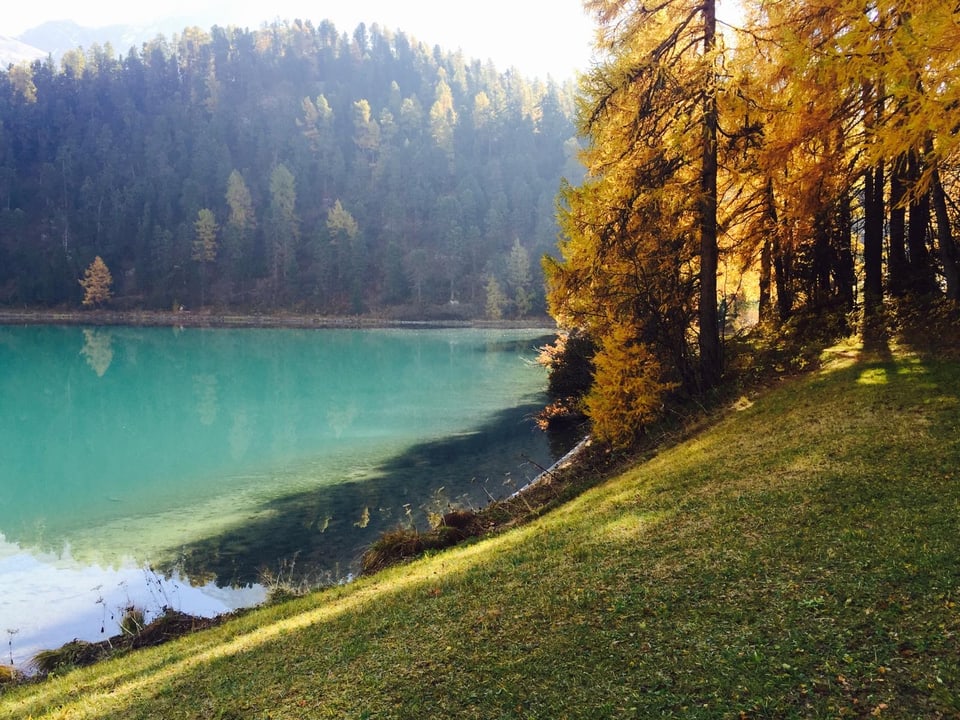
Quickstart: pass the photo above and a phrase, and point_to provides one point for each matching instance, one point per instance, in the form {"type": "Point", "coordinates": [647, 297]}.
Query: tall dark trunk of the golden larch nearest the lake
{"type": "Point", "coordinates": [710, 358]}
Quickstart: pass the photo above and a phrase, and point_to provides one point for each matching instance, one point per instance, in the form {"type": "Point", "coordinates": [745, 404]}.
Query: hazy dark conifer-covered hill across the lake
{"type": "Point", "coordinates": [293, 167]}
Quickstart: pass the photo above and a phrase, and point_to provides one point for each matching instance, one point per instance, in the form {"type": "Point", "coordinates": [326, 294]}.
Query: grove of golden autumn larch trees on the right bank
{"type": "Point", "coordinates": [806, 159]}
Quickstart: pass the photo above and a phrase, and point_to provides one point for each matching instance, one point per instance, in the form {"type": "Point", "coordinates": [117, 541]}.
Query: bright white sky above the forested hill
{"type": "Point", "coordinates": [539, 37]}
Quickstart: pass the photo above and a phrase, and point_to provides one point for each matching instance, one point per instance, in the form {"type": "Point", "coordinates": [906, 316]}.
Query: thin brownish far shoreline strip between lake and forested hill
{"type": "Point", "coordinates": [211, 319]}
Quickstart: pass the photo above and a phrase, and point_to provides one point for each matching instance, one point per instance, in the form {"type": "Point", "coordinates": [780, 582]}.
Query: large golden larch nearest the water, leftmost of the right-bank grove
{"type": "Point", "coordinates": [640, 251]}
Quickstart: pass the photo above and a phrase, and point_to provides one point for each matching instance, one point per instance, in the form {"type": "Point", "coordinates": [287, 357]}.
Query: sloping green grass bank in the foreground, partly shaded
{"type": "Point", "coordinates": [798, 559]}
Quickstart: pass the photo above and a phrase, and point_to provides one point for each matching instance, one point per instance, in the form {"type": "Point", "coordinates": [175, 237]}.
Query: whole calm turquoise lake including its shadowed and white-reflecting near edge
{"type": "Point", "coordinates": [185, 468]}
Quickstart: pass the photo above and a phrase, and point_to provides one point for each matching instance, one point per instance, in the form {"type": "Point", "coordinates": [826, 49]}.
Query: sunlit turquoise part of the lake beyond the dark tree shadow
{"type": "Point", "coordinates": [179, 420]}
